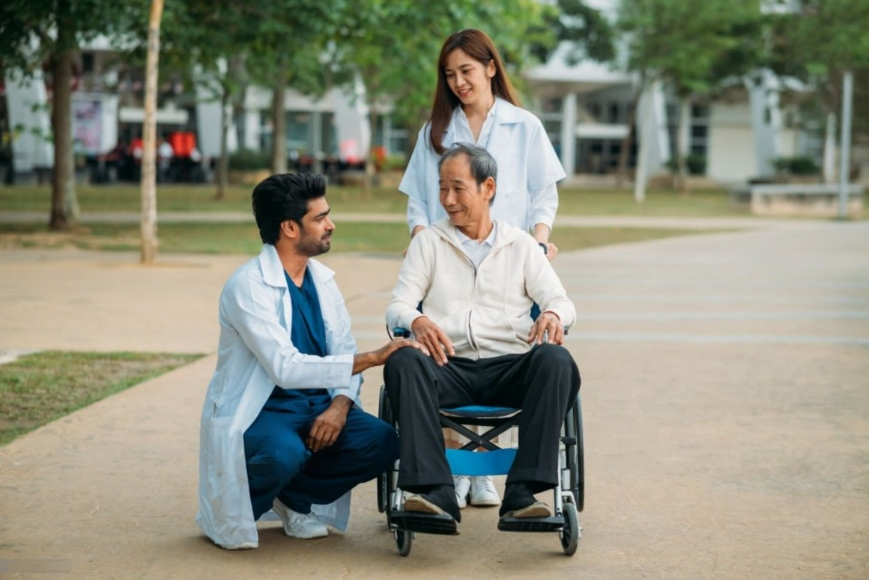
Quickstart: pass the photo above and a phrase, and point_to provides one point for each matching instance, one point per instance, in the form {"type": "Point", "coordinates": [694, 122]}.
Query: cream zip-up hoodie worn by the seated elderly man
{"type": "Point", "coordinates": [485, 311]}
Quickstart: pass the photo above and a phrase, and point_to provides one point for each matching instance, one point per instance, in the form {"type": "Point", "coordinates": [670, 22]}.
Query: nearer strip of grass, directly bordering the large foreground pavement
{"type": "Point", "coordinates": [236, 238]}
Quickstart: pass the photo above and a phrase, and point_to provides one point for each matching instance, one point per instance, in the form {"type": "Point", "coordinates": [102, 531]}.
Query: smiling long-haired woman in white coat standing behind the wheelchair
{"type": "Point", "coordinates": [474, 102]}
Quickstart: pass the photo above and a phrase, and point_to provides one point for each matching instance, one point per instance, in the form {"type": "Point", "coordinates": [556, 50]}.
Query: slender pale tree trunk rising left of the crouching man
{"type": "Point", "coordinates": [149, 138]}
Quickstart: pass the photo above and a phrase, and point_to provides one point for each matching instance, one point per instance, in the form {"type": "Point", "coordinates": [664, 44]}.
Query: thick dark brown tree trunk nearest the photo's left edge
{"type": "Point", "coordinates": [64, 205]}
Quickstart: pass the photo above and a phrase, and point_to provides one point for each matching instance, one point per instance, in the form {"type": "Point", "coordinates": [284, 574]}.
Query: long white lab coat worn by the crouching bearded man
{"type": "Point", "coordinates": [255, 354]}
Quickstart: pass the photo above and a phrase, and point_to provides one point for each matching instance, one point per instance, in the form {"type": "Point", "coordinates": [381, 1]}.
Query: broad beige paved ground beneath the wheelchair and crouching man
{"type": "Point", "coordinates": [725, 407]}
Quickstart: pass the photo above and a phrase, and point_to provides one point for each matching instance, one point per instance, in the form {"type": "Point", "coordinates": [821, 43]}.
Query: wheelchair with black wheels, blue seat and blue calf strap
{"type": "Point", "coordinates": [568, 493]}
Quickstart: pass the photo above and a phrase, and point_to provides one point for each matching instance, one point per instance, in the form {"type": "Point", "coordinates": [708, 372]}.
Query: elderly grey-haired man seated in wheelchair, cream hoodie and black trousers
{"type": "Point", "coordinates": [465, 291]}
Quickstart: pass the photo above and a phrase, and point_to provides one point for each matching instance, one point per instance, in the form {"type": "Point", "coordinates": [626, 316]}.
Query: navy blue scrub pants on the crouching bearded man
{"type": "Point", "coordinates": [279, 465]}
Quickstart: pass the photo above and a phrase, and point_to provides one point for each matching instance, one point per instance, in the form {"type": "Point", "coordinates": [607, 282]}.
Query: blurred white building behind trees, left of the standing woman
{"type": "Point", "coordinates": [107, 109]}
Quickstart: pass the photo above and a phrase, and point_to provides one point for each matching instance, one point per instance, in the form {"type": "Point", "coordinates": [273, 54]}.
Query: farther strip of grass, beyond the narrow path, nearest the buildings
{"type": "Point", "coordinates": [701, 203]}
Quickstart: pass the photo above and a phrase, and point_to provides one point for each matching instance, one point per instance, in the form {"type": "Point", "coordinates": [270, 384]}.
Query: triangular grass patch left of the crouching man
{"type": "Point", "coordinates": [39, 388]}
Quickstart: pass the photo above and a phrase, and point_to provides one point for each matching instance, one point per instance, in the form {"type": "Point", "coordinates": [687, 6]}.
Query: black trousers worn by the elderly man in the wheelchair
{"type": "Point", "coordinates": [542, 382]}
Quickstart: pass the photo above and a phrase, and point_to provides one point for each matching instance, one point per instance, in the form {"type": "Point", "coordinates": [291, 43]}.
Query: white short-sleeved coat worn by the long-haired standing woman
{"type": "Point", "coordinates": [528, 170]}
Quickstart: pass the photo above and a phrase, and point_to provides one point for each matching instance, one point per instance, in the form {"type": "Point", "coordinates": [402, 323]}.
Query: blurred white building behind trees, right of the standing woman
{"type": "Point", "coordinates": [586, 108]}
